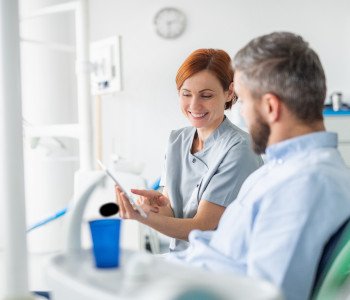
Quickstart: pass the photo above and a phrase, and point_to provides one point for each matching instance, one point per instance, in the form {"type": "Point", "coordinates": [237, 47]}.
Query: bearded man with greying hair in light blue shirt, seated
{"type": "Point", "coordinates": [288, 209]}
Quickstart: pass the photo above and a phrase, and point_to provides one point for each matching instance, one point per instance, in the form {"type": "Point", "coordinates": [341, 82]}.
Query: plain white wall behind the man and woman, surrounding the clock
{"type": "Point", "coordinates": [139, 118]}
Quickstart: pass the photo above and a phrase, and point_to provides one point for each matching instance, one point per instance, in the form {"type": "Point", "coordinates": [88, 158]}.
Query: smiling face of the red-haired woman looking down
{"type": "Point", "coordinates": [203, 99]}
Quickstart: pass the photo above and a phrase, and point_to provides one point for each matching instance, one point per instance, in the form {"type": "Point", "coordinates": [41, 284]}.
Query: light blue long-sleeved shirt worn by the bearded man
{"type": "Point", "coordinates": [282, 218]}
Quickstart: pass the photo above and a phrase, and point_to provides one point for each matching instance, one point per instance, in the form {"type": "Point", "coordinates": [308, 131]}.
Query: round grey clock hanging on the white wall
{"type": "Point", "coordinates": [170, 22]}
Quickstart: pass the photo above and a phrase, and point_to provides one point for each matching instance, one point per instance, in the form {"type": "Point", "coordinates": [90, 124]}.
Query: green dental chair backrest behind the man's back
{"type": "Point", "coordinates": [333, 271]}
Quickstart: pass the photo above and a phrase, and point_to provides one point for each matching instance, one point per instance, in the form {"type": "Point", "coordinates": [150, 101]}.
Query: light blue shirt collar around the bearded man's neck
{"type": "Point", "coordinates": [302, 143]}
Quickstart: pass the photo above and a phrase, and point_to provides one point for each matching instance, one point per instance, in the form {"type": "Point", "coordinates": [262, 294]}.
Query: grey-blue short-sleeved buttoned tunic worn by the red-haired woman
{"type": "Point", "coordinates": [215, 173]}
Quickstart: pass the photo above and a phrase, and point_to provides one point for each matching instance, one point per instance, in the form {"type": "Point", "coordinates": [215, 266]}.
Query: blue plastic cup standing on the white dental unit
{"type": "Point", "coordinates": [105, 235]}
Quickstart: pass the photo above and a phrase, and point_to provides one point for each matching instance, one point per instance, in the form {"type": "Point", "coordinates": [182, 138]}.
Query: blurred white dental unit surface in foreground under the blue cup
{"type": "Point", "coordinates": [144, 277]}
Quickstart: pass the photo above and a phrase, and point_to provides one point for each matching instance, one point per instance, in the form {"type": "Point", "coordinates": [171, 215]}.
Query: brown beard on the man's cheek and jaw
{"type": "Point", "coordinates": [260, 132]}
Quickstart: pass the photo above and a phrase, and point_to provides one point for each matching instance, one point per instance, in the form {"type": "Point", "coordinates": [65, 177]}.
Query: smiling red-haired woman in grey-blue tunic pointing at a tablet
{"type": "Point", "coordinates": [206, 163]}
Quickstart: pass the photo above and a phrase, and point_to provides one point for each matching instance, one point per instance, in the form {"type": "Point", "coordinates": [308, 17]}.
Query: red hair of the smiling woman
{"type": "Point", "coordinates": [218, 62]}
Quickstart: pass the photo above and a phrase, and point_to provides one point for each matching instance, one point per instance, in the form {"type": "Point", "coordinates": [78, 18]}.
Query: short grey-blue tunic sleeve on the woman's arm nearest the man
{"type": "Point", "coordinates": [236, 166]}
